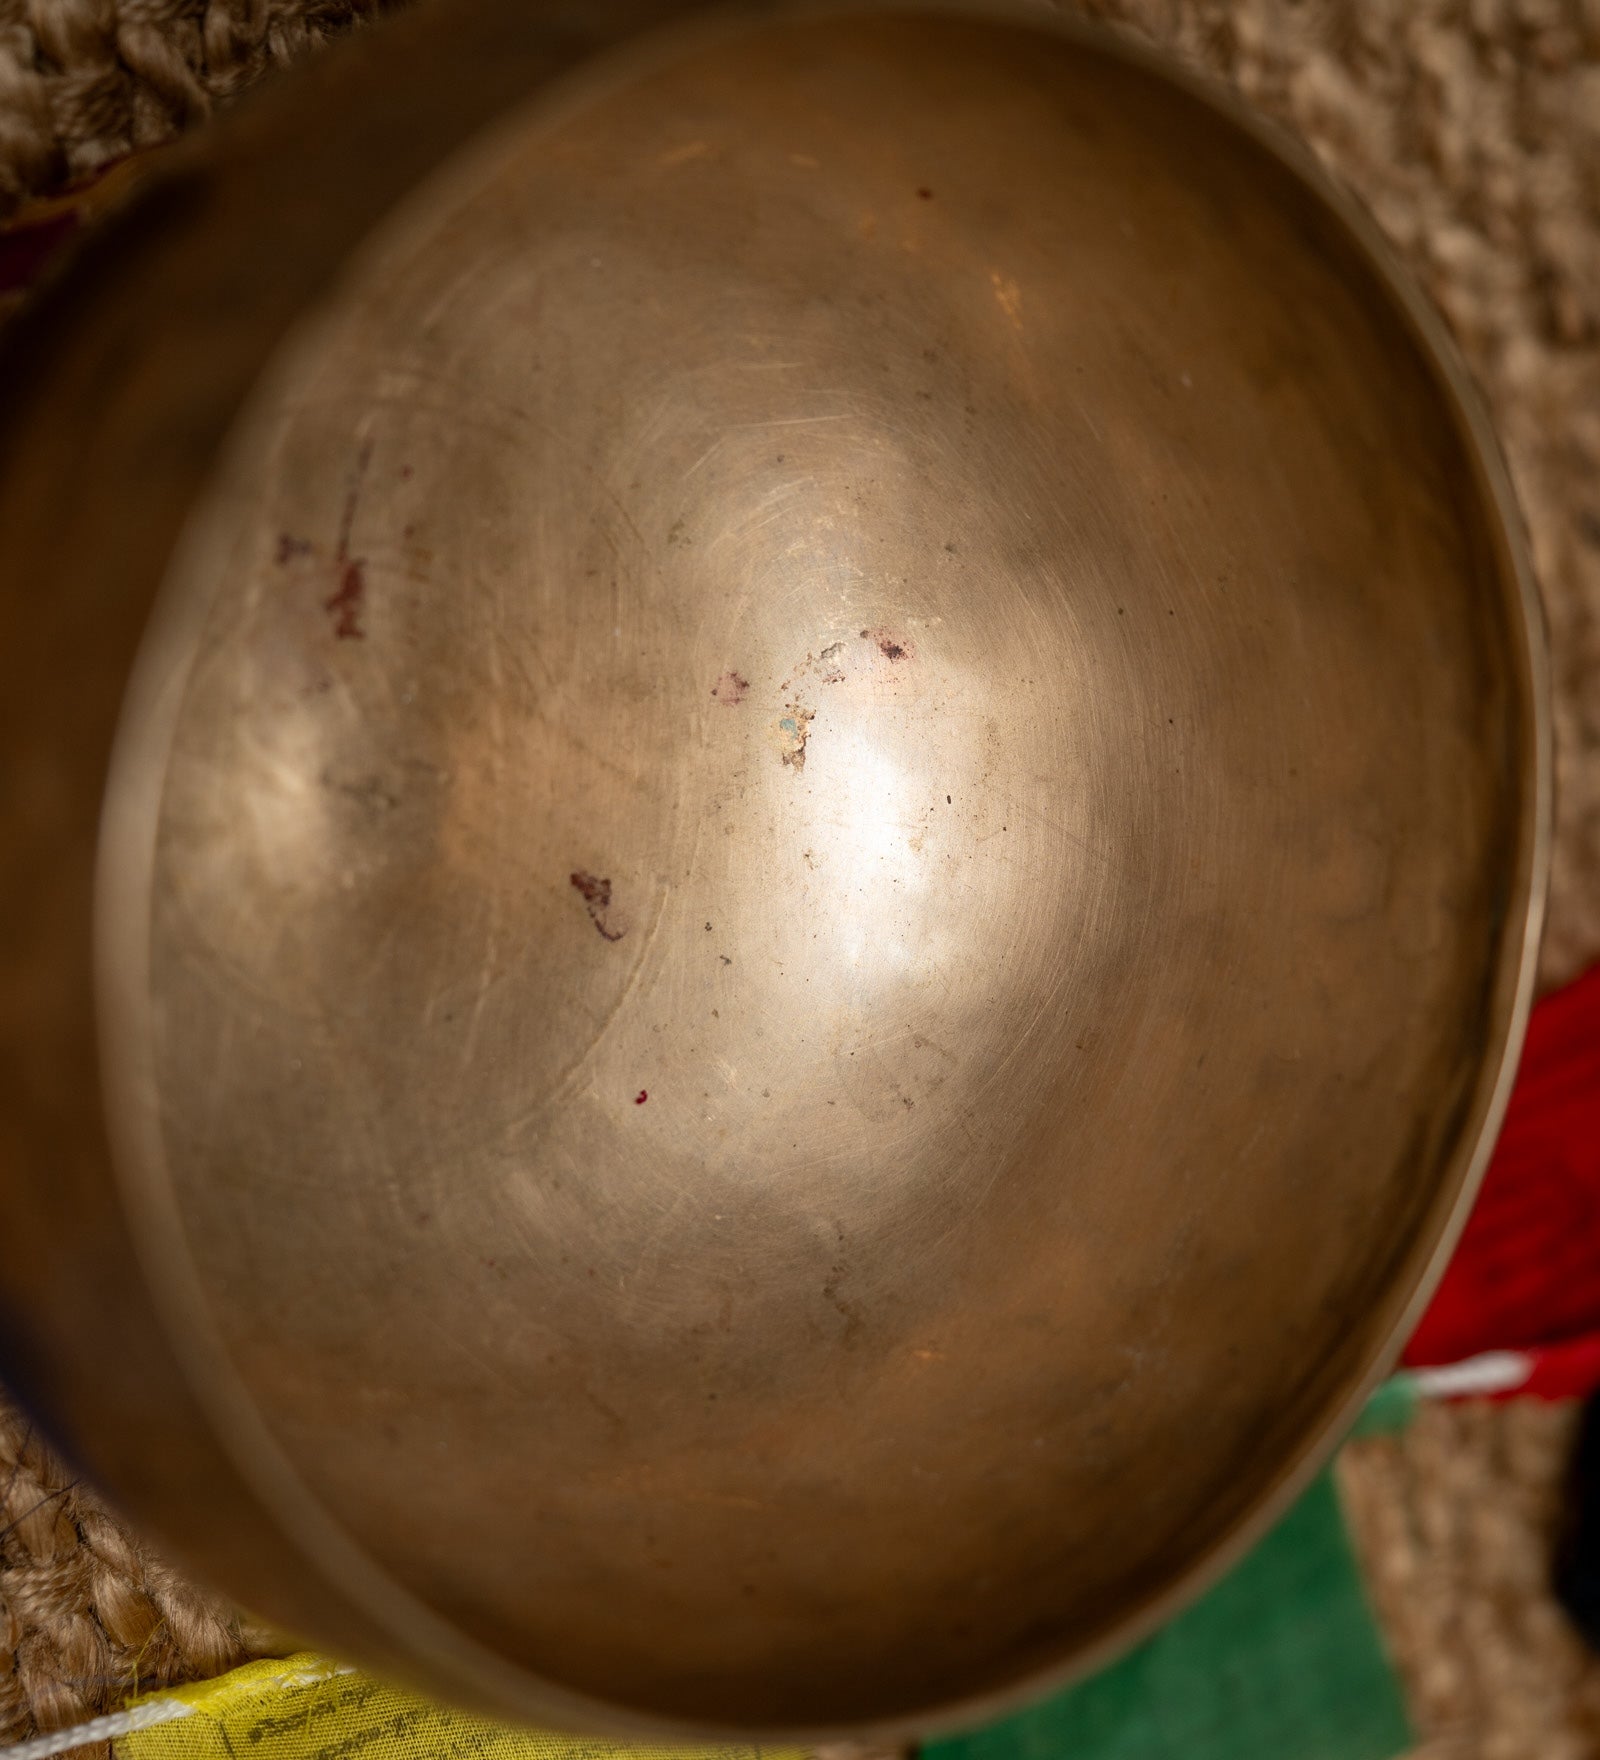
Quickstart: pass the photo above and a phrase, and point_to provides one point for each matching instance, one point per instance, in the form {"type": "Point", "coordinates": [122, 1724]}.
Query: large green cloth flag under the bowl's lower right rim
{"type": "Point", "coordinates": [1279, 1662]}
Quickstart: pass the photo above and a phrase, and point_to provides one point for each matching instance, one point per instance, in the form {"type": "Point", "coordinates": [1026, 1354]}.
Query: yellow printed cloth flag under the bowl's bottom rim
{"type": "Point", "coordinates": [307, 1708]}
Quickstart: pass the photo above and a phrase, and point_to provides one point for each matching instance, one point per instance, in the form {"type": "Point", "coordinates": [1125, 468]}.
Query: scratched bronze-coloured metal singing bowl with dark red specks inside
{"type": "Point", "coordinates": [825, 800]}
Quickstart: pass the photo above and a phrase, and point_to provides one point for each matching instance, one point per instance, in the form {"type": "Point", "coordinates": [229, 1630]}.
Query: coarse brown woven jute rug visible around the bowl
{"type": "Point", "coordinates": [1472, 131]}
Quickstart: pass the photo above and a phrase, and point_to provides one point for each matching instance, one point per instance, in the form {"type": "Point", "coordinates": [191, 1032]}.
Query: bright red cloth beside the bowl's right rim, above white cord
{"type": "Point", "coordinates": [1527, 1272]}
